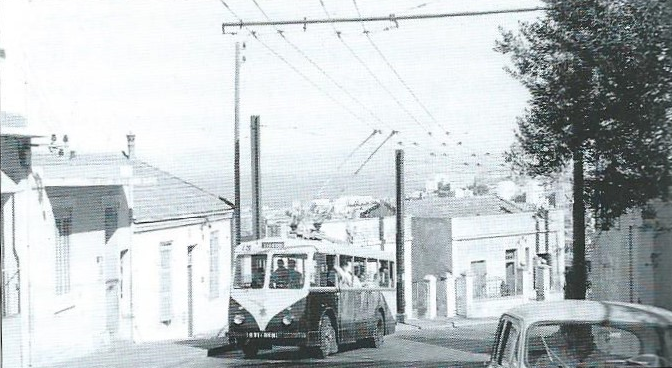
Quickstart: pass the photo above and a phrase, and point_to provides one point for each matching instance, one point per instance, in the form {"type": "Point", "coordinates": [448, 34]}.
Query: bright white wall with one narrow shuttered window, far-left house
{"type": "Point", "coordinates": [78, 318]}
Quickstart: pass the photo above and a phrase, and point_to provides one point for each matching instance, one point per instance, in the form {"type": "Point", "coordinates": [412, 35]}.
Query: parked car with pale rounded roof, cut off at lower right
{"type": "Point", "coordinates": [583, 333]}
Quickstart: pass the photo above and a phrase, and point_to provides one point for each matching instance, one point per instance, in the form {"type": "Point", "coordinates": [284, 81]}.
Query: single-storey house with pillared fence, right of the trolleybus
{"type": "Point", "coordinates": [496, 244]}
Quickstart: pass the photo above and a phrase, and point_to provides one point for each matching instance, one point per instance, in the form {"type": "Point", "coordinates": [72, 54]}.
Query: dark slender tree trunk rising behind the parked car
{"type": "Point", "coordinates": [576, 284]}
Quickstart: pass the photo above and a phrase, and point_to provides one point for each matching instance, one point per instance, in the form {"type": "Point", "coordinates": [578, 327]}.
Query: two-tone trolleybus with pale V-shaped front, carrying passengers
{"type": "Point", "coordinates": [314, 294]}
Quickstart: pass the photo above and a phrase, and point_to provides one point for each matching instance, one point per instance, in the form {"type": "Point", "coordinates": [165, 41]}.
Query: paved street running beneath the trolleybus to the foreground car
{"type": "Point", "coordinates": [466, 344]}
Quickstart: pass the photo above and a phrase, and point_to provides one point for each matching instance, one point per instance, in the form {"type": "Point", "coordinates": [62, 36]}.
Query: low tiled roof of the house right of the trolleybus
{"type": "Point", "coordinates": [451, 207]}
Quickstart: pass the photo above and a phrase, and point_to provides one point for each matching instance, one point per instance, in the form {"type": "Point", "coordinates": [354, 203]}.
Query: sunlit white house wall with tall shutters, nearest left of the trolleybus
{"type": "Point", "coordinates": [210, 314]}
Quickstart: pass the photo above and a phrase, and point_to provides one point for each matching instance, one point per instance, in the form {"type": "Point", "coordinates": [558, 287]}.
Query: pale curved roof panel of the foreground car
{"type": "Point", "coordinates": [591, 311]}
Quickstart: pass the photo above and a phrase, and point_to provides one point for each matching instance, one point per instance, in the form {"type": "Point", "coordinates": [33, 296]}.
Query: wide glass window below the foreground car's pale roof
{"type": "Point", "coordinates": [588, 344]}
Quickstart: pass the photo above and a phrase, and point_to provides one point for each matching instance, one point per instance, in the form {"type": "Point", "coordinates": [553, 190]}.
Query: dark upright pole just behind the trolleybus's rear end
{"type": "Point", "coordinates": [401, 305]}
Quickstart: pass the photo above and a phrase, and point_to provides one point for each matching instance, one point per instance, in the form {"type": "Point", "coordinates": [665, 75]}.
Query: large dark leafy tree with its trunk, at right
{"type": "Point", "coordinates": [599, 73]}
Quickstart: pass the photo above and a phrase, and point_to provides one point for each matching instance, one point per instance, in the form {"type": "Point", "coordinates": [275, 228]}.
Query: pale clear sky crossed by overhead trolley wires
{"type": "Point", "coordinates": [99, 69]}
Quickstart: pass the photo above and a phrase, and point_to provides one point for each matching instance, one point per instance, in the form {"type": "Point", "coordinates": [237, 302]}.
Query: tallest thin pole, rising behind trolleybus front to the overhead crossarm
{"type": "Point", "coordinates": [236, 156]}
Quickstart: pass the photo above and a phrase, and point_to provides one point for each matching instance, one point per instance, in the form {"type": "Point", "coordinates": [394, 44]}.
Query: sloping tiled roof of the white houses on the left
{"type": "Point", "coordinates": [157, 194]}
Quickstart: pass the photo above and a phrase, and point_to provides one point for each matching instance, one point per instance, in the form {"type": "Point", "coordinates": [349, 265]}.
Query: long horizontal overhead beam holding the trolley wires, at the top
{"type": "Point", "coordinates": [390, 18]}
